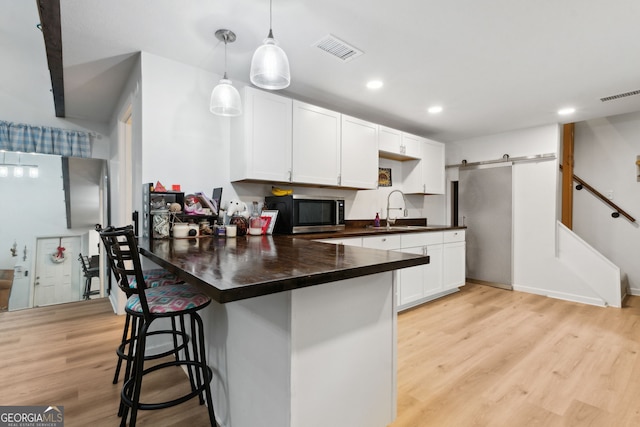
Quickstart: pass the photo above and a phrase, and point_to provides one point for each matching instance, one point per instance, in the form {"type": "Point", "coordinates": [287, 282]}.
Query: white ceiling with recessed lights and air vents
{"type": "Point", "coordinates": [493, 65]}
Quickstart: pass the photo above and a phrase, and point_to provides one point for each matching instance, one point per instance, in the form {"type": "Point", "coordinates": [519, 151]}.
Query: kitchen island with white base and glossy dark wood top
{"type": "Point", "coordinates": [300, 333]}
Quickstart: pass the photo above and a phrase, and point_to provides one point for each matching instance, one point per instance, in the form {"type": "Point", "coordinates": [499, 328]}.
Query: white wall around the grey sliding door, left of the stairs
{"type": "Point", "coordinates": [535, 193]}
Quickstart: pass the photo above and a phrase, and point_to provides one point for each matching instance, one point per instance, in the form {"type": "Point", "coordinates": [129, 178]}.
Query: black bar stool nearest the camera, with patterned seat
{"type": "Point", "coordinates": [147, 304]}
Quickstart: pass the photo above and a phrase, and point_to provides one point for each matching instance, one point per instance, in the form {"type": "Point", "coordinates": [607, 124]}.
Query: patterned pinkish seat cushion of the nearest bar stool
{"type": "Point", "coordinates": [169, 299]}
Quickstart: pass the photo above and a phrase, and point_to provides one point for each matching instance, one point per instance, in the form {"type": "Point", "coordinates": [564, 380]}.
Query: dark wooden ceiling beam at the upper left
{"type": "Point", "coordinates": [49, 11]}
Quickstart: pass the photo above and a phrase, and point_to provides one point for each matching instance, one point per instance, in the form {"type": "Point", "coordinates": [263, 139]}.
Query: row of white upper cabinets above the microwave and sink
{"type": "Point", "coordinates": [278, 139]}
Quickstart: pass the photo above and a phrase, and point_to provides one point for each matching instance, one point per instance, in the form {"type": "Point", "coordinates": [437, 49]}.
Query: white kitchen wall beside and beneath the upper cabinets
{"type": "Point", "coordinates": [183, 143]}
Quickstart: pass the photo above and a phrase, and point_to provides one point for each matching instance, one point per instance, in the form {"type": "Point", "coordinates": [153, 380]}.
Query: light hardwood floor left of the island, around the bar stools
{"type": "Point", "coordinates": [65, 355]}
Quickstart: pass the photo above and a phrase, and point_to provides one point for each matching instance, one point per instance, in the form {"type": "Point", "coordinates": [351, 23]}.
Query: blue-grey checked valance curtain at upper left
{"type": "Point", "coordinates": [44, 140]}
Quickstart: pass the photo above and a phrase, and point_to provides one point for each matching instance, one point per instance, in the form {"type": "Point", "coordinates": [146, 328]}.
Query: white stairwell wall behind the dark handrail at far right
{"type": "Point", "coordinates": [605, 155]}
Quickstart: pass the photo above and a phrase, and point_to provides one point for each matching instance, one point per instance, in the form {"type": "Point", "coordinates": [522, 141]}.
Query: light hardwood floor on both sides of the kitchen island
{"type": "Point", "coordinates": [481, 357]}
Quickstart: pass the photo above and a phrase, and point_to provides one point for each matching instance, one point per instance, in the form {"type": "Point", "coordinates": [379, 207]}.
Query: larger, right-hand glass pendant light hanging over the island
{"type": "Point", "coordinates": [270, 65]}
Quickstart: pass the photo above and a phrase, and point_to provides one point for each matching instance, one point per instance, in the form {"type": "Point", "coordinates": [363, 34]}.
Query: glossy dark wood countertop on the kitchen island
{"type": "Point", "coordinates": [231, 269]}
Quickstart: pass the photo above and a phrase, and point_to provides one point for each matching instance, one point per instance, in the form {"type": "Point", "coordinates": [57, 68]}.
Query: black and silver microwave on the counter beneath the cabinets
{"type": "Point", "coordinates": [306, 214]}
